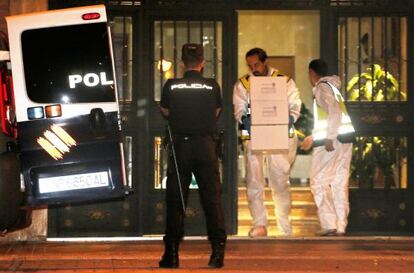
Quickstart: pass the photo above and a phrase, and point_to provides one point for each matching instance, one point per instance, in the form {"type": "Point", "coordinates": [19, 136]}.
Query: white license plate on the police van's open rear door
{"type": "Point", "coordinates": [73, 182]}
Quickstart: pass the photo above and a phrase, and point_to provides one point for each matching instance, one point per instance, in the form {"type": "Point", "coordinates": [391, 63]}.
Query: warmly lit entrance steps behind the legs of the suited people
{"type": "Point", "coordinates": [303, 214]}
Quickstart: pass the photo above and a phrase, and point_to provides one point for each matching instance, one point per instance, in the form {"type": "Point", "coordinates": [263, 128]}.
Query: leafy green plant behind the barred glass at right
{"type": "Point", "coordinates": [375, 159]}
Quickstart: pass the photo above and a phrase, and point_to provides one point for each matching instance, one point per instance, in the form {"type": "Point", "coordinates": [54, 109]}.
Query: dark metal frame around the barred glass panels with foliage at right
{"type": "Point", "coordinates": [377, 211]}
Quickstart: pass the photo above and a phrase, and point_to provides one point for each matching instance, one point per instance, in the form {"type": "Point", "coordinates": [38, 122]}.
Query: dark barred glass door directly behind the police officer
{"type": "Point", "coordinates": [168, 37]}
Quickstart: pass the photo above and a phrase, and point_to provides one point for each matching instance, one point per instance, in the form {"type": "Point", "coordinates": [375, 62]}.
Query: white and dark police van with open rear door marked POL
{"type": "Point", "coordinates": [62, 107]}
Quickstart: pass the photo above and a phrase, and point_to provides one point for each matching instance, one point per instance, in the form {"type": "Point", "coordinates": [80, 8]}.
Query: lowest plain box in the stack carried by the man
{"type": "Point", "coordinates": [269, 139]}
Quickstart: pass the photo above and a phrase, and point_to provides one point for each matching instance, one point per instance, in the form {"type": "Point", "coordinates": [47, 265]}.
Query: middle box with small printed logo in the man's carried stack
{"type": "Point", "coordinates": [269, 112]}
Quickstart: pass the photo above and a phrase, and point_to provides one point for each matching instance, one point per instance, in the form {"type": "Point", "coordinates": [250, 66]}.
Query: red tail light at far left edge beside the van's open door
{"type": "Point", "coordinates": [7, 113]}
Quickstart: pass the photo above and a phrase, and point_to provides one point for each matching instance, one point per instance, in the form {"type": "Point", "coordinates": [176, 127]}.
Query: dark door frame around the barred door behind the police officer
{"type": "Point", "coordinates": [154, 200]}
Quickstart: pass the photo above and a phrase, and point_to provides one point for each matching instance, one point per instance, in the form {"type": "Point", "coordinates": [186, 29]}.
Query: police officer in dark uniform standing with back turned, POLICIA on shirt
{"type": "Point", "coordinates": [192, 105]}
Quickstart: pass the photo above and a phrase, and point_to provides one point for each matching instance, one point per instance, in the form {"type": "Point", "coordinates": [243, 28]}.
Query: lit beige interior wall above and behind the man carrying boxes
{"type": "Point", "coordinates": [282, 33]}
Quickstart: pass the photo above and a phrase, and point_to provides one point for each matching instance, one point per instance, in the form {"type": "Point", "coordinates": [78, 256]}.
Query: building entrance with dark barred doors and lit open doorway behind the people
{"type": "Point", "coordinates": [147, 37]}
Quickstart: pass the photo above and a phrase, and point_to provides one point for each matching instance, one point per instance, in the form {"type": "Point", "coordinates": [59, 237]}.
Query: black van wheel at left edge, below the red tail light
{"type": "Point", "coordinates": [12, 217]}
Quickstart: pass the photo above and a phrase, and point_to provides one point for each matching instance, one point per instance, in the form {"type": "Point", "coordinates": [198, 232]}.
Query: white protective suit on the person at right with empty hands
{"type": "Point", "coordinates": [329, 171]}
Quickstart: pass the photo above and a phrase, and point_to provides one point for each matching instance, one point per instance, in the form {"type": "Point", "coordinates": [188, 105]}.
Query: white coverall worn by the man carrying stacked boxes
{"type": "Point", "coordinates": [278, 164]}
